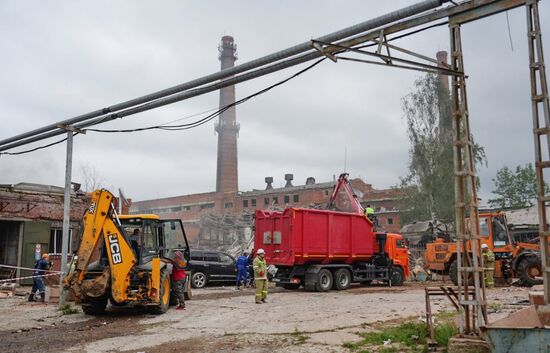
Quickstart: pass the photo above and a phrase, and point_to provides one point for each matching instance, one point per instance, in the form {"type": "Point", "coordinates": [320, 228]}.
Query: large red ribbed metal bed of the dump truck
{"type": "Point", "coordinates": [298, 236]}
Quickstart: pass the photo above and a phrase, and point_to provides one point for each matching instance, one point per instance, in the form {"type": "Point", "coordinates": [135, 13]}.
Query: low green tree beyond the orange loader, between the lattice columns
{"type": "Point", "coordinates": [515, 189]}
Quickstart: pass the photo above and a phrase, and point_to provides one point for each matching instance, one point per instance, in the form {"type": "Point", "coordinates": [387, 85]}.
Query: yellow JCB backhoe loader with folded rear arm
{"type": "Point", "coordinates": [126, 259]}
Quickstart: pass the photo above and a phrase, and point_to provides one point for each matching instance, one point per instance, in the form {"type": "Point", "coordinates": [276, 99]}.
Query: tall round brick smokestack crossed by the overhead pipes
{"type": "Point", "coordinates": [227, 126]}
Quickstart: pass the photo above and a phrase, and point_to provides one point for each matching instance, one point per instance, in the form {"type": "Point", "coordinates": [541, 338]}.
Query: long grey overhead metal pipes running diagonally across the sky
{"type": "Point", "coordinates": [295, 50]}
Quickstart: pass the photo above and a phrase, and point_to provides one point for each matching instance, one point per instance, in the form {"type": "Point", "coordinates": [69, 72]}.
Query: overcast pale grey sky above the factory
{"type": "Point", "coordinates": [65, 58]}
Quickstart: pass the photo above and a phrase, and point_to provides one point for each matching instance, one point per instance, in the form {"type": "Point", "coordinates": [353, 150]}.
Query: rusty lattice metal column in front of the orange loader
{"type": "Point", "coordinates": [470, 265]}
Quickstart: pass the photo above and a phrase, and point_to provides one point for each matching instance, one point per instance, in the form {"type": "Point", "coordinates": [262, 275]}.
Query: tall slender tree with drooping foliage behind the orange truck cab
{"type": "Point", "coordinates": [428, 189]}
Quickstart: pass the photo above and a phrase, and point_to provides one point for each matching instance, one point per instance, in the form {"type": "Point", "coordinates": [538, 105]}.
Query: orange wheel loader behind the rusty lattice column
{"type": "Point", "coordinates": [513, 260]}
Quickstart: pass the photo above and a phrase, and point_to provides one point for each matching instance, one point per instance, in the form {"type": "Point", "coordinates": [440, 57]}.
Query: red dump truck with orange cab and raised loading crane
{"type": "Point", "coordinates": [329, 249]}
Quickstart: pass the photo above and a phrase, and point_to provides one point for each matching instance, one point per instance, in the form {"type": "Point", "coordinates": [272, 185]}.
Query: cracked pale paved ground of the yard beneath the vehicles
{"type": "Point", "coordinates": [224, 320]}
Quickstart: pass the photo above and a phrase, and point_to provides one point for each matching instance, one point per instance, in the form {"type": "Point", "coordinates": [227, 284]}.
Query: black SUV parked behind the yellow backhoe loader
{"type": "Point", "coordinates": [211, 266]}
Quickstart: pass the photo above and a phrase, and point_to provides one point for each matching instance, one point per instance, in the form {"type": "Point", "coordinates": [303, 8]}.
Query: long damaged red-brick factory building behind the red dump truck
{"type": "Point", "coordinates": [199, 210]}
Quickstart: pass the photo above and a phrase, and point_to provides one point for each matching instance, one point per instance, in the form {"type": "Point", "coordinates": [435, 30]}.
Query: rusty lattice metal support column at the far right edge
{"type": "Point", "coordinates": [541, 130]}
